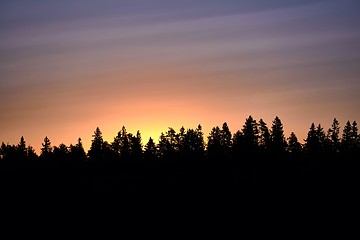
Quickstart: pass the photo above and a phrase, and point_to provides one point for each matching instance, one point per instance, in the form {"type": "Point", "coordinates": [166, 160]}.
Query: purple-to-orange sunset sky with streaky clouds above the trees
{"type": "Point", "coordinates": [67, 67]}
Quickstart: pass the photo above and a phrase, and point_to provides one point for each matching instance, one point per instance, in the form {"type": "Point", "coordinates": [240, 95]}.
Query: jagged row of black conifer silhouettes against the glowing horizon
{"type": "Point", "coordinates": [254, 141]}
